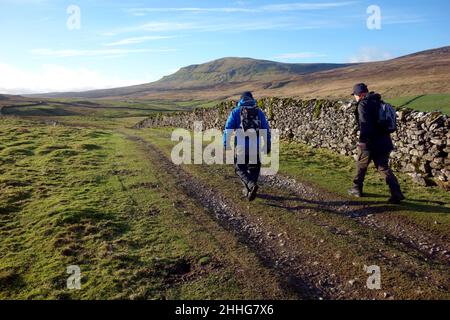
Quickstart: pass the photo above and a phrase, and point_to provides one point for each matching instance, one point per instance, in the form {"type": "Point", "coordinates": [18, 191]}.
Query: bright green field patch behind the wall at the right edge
{"type": "Point", "coordinates": [430, 102]}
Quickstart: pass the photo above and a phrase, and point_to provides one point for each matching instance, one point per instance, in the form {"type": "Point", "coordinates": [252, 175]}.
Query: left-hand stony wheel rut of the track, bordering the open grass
{"type": "Point", "coordinates": [293, 274]}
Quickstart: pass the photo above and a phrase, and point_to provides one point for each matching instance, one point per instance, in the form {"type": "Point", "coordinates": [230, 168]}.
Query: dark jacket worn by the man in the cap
{"type": "Point", "coordinates": [367, 117]}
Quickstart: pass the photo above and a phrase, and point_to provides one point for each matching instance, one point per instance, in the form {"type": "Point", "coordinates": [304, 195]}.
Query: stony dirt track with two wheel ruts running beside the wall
{"type": "Point", "coordinates": [312, 275]}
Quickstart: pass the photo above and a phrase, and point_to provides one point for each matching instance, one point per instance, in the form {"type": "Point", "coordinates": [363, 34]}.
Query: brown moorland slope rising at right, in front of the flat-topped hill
{"type": "Point", "coordinates": [416, 74]}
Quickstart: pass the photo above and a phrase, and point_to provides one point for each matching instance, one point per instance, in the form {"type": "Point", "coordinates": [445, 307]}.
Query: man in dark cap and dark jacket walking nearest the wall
{"type": "Point", "coordinates": [373, 145]}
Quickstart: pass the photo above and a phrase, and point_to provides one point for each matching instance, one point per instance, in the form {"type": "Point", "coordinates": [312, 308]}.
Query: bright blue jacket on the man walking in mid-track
{"type": "Point", "coordinates": [234, 123]}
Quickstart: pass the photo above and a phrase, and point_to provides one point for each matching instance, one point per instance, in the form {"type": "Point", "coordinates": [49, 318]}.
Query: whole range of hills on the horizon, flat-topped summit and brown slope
{"type": "Point", "coordinates": [420, 73]}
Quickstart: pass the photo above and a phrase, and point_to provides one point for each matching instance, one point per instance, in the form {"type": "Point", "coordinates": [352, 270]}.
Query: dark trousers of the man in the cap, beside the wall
{"type": "Point", "coordinates": [381, 161]}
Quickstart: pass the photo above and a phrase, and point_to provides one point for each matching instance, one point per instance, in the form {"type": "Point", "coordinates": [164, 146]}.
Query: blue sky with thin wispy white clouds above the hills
{"type": "Point", "coordinates": [131, 42]}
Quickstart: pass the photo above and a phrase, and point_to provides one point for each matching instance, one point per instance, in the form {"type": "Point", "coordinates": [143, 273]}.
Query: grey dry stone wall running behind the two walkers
{"type": "Point", "coordinates": [422, 141]}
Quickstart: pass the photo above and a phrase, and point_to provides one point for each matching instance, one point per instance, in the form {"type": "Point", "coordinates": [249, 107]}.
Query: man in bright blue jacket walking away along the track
{"type": "Point", "coordinates": [247, 118]}
